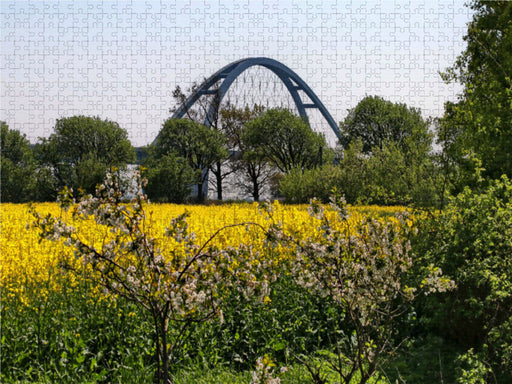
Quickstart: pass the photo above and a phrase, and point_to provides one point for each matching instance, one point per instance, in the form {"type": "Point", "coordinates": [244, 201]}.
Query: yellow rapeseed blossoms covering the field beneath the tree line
{"type": "Point", "coordinates": [30, 266]}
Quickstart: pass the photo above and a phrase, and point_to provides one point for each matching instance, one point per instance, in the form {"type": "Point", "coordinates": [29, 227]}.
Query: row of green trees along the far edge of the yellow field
{"type": "Point", "coordinates": [265, 151]}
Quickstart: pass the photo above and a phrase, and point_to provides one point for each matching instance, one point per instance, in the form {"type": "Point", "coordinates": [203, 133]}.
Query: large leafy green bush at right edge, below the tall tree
{"type": "Point", "coordinates": [472, 242]}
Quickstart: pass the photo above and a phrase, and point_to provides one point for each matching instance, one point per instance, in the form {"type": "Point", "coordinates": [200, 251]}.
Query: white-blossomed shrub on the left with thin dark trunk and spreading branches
{"type": "Point", "coordinates": [183, 286]}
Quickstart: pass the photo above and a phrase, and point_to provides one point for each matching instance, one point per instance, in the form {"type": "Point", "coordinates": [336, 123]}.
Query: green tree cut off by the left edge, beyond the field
{"type": "Point", "coordinates": [18, 168]}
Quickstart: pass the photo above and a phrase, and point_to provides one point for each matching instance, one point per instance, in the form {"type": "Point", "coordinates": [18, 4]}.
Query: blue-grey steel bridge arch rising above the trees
{"type": "Point", "coordinates": [218, 84]}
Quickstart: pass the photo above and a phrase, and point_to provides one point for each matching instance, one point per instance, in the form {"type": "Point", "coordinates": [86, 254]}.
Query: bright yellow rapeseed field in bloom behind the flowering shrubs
{"type": "Point", "coordinates": [28, 263]}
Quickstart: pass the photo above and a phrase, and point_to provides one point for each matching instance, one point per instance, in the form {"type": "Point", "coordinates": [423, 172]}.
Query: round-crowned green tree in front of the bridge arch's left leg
{"type": "Point", "coordinates": [199, 145]}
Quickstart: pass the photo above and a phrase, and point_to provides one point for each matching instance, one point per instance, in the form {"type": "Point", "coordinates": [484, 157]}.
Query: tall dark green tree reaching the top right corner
{"type": "Point", "coordinates": [476, 131]}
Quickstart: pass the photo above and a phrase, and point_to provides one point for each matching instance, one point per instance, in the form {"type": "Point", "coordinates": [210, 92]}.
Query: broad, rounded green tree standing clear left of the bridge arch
{"type": "Point", "coordinates": [82, 149]}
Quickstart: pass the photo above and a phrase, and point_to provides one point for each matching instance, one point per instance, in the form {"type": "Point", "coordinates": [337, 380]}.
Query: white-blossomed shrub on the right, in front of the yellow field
{"type": "Point", "coordinates": [367, 270]}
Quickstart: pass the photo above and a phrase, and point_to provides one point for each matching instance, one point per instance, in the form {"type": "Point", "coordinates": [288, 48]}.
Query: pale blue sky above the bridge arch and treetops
{"type": "Point", "coordinates": [121, 60]}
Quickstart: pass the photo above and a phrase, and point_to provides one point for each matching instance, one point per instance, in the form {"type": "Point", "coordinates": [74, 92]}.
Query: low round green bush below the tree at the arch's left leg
{"type": "Point", "coordinates": [169, 179]}
